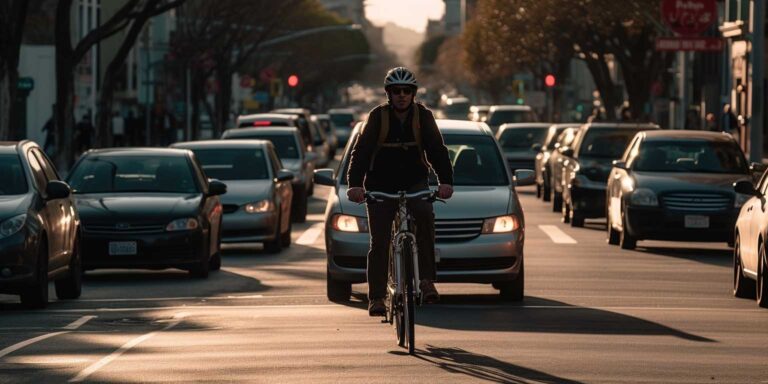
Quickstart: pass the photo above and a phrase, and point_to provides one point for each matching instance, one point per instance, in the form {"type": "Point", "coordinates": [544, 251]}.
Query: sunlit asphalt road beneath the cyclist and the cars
{"type": "Point", "coordinates": [592, 314]}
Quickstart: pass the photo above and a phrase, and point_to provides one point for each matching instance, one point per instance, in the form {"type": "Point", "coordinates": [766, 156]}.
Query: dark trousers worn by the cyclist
{"type": "Point", "coordinates": [380, 217]}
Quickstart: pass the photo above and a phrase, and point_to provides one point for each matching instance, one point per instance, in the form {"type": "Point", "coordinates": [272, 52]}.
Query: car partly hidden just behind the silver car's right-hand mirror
{"type": "Point", "coordinates": [521, 143]}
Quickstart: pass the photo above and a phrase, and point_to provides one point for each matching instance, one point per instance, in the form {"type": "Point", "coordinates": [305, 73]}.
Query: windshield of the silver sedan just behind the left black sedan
{"type": "Point", "coordinates": [234, 163]}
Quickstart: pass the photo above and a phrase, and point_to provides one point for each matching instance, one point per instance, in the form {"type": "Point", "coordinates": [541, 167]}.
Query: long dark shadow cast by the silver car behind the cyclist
{"type": "Point", "coordinates": [537, 315]}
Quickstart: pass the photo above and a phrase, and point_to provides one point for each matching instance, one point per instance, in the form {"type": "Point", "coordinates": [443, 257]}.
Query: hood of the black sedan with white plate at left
{"type": "Point", "coordinates": [136, 208]}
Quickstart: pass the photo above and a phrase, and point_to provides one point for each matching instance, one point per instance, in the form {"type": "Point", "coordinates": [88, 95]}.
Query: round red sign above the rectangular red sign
{"type": "Point", "coordinates": [689, 17]}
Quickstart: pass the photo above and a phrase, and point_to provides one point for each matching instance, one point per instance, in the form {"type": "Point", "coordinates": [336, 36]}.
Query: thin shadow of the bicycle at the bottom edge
{"type": "Point", "coordinates": [482, 367]}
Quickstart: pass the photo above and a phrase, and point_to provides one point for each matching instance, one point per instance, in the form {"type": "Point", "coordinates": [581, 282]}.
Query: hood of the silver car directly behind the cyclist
{"type": "Point", "coordinates": [466, 203]}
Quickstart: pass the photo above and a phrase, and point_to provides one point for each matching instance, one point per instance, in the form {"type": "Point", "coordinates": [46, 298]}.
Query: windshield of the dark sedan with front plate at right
{"type": "Point", "coordinates": [700, 156]}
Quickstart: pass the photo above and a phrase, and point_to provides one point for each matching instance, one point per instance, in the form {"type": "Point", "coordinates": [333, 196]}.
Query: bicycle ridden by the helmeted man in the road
{"type": "Point", "coordinates": [403, 291]}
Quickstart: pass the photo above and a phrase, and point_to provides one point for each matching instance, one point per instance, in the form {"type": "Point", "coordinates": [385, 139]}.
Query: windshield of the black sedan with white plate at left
{"type": "Point", "coordinates": [130, 174]}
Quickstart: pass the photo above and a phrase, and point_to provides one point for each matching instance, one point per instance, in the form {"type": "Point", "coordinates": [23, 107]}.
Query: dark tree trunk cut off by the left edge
{"type": "Point", "coordinates": [13, 14]}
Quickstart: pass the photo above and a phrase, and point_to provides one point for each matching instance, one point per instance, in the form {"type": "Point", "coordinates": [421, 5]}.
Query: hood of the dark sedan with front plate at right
{"type": "Point", "coordinates": [661, 182]}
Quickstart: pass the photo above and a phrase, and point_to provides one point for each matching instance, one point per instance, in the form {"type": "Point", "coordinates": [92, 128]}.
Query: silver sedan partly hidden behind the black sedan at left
{"type": "Point", "coordinates": [257, 206]}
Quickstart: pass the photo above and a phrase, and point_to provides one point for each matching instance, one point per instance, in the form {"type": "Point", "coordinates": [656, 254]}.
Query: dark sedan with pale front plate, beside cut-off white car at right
{"type": "Point", "coordinates": [676, 185]}
